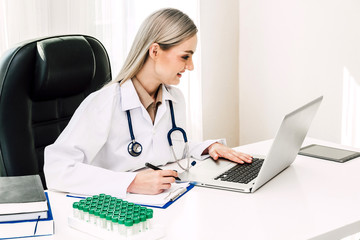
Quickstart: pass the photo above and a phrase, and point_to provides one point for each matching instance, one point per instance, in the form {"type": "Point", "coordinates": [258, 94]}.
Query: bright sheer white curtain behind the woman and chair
{"type": "Point", "coordinates": [113, 22]}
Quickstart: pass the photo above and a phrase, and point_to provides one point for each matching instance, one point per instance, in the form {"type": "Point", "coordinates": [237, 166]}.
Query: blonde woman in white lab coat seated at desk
{"type": "Point", "coordinates": [93, 153]}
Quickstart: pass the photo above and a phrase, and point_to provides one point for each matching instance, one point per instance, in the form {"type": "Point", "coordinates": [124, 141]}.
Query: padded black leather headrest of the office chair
{"type": "Point", "coordinates": [65, 66]}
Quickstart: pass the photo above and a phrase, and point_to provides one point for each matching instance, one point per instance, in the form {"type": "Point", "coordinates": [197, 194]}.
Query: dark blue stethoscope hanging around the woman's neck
{"type": "Point", "coordinates": [135, 148]}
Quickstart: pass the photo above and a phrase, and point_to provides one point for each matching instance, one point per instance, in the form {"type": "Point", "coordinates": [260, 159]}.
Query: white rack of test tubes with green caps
{"type": "Point", "coordinates": [108, 217]}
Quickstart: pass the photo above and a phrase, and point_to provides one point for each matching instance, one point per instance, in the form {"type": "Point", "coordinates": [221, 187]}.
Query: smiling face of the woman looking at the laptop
{"type": "Point", "coordinates": [172, 63]}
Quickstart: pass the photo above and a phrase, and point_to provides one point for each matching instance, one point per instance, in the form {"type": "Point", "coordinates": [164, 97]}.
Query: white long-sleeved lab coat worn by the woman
{"type": "Point", "coordinates": [91, 157]}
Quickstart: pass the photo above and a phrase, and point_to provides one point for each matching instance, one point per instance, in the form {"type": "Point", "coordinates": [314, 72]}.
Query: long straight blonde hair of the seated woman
{"type": "Point", "coordinates": [166, 27]}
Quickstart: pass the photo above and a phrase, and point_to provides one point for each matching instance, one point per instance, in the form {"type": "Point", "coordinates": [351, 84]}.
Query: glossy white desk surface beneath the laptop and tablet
{"type": "Point", "coordinates": [312, 199]}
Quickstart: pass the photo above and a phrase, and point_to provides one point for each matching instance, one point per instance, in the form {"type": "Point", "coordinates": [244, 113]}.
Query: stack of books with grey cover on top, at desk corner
{"type": "Point", "coordinates": [24, 208]}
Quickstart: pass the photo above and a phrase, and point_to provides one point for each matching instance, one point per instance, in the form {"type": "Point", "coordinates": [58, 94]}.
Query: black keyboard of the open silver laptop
{"type": "Point", "coordinates": [242, 173]}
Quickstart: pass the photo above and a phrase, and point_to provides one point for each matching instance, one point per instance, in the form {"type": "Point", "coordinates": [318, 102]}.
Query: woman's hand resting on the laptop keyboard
{"type": "Point", "coordinates": [217, 150]}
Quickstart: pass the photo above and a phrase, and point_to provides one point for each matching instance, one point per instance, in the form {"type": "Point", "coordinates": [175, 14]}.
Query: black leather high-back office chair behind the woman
{"type": "Point", "coordinates": [42, 82]}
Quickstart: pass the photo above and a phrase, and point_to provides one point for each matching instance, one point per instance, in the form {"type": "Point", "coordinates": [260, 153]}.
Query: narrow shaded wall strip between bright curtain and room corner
{"type": "Point", "coordinates": [219, 69]}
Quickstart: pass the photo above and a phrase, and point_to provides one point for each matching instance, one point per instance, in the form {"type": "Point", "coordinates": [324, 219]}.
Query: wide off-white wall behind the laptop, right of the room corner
{"type": "Point", "coordinates": [291, 52]}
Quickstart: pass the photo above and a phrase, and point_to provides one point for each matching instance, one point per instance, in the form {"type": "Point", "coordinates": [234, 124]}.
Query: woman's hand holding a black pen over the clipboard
{"type": "Point", "coordinates": [152, 182]}
